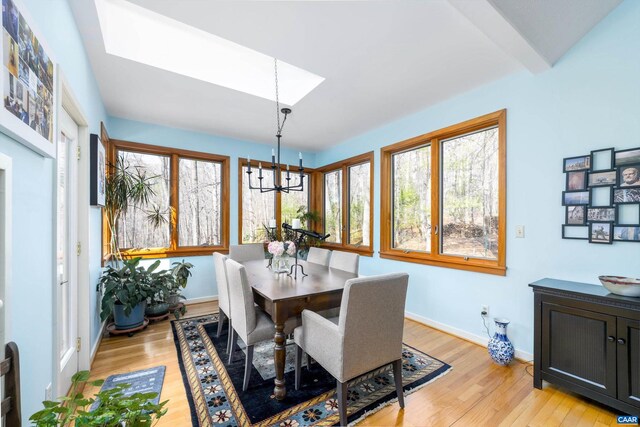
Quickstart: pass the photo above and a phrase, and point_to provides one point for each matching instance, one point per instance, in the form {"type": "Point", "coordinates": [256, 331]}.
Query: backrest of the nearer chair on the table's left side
{"type": "Point", "coordinates": [240, 299]}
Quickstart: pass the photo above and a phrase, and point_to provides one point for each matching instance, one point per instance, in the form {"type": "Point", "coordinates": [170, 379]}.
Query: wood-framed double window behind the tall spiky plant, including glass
{"type": "Point", "coordinates": [191, 200]}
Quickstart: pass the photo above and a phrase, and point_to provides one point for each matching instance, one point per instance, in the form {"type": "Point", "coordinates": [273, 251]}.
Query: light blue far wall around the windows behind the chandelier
{"type": "Point", "coordinates": [202, 284]}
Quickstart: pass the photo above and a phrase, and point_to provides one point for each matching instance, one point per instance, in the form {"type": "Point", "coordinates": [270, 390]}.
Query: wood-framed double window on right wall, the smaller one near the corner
{"type": "Point", "coordinates": [345, 201]}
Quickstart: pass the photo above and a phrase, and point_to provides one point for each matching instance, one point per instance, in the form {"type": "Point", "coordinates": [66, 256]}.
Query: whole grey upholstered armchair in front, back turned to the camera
{"type": "Point", "coordinates": [367, 335]}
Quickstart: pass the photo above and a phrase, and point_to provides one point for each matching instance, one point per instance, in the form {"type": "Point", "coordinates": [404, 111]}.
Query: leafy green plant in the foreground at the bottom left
{"type": "Point", "coordinates": [114, 408]}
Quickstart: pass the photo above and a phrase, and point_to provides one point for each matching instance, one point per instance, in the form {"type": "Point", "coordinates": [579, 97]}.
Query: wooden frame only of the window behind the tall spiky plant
{"type": "Point", "coordinates": [174, 154]}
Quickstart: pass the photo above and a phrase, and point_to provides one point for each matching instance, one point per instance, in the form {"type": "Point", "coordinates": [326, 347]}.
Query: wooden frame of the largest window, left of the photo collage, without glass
{"type": "Point", "coordinates": [435, 139]}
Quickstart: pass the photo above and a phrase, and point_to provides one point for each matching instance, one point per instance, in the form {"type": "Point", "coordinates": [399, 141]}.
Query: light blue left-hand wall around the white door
{"type": "Point", "coordinates": [32, 266]}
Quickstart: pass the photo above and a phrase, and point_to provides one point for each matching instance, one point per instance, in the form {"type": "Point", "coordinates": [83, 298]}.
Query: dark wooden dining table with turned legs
{"type": "Point", "coordinates": [284, 297]}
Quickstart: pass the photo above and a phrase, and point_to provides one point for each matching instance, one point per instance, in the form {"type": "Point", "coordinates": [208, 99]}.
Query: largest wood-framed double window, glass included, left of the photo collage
{"type": "Point", "coordinates": [443, 197]}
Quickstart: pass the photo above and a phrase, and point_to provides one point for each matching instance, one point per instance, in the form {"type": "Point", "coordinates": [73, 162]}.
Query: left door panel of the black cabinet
{"type": "Point", "coordinates": [577, 347]}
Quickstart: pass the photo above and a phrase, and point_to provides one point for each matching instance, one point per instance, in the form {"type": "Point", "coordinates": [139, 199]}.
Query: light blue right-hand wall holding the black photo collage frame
{"type": "Point", "coordinates": [589, 100]}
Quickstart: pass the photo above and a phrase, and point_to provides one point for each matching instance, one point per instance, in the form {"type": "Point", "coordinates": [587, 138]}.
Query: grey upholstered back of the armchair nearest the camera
{"type": "Point", "coordinates": [372, 321]}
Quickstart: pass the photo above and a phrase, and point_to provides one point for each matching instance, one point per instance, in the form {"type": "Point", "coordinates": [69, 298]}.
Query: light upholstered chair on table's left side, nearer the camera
{"type": "Point", "coordinates": [250, 323]}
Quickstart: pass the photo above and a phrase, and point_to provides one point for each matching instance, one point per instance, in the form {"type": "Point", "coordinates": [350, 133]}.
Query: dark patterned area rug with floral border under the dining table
{"type": "Point", "coordinates": [214, 387]}
